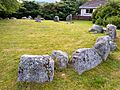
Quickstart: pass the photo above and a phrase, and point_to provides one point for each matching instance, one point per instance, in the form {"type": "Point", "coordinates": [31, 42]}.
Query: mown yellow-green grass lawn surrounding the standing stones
{"type": "Point", "coordinates": [18, 37]}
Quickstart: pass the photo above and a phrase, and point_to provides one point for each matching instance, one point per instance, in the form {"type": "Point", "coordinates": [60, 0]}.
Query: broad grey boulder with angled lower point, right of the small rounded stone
{"type": "Point", "coordinates": [85, 59]}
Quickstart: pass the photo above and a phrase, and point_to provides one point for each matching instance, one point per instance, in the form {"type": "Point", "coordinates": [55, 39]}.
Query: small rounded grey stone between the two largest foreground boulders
{"type": "Point", "coordinates": [61, 57]}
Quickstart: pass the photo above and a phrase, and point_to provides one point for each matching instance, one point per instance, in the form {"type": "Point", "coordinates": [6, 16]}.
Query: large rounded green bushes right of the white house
{"type": "Point", "coordinates": [107, 14]}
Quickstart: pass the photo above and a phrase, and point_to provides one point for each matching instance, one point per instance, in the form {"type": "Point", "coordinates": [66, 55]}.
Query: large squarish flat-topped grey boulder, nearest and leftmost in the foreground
{"type": "Point", "coordinates": [36, 68]}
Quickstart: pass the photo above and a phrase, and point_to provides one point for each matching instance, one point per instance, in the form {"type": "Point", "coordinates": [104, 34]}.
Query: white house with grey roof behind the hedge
{"type": "Point", "coordinates": [88, 8]}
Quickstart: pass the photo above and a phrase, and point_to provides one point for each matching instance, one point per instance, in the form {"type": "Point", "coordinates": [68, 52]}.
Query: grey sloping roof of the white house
{"type": "Point", "coordinates": [93, 3]}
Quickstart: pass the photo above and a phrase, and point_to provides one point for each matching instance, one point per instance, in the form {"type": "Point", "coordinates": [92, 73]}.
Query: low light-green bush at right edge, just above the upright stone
{"type": "Point", "coordinates": [113, 20]}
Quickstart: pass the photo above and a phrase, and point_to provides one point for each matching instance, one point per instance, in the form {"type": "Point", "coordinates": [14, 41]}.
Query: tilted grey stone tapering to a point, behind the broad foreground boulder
{"type": "Point", "coordinates": [102, 48]}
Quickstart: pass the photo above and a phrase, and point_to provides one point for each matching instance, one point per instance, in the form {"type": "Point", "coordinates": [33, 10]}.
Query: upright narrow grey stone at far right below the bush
{"type": "Point", "coordinates": [111, 31]}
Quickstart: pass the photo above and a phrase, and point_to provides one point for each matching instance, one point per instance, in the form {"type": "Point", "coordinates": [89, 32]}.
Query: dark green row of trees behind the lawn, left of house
{"type": "Point", "coordinates": [46, 10]}
